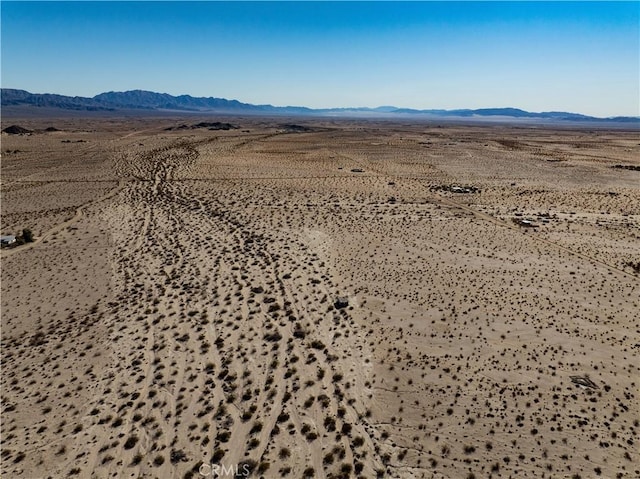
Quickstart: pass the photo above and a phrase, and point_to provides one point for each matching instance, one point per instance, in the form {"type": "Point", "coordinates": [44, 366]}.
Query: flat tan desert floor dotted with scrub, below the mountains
{"type": "Point", "coordinates": [177, 311]}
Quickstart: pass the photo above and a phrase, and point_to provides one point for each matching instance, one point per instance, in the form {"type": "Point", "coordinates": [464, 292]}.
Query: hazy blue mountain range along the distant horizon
{"type": "Point", "coordinates": [147, 100]}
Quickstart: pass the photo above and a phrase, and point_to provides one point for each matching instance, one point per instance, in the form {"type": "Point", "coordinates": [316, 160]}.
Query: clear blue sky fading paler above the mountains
{"type": "Point", "coordinates": [572, 56]}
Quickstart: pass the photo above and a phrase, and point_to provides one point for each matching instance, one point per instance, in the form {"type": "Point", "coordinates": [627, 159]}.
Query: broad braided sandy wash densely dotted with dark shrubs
{"type": "Point", "coordinates": [230, 331]}
